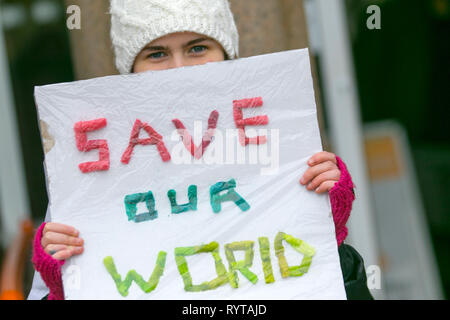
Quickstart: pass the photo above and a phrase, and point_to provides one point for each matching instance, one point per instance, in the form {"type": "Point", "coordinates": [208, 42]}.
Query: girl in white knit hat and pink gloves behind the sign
{"type": "Point", "coordinates": [164, 34]}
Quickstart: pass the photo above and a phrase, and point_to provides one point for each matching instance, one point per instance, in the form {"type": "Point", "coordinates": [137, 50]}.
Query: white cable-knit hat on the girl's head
{"type": "Point", "coordinates": [136, 23]}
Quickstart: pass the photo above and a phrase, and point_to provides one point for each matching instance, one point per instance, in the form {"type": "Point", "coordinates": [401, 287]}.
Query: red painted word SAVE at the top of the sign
{"type": "Point", "coordinates": [81, 129]}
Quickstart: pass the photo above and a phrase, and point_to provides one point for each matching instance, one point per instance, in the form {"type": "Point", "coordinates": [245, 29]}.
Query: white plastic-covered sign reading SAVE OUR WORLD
{"type": "Point", "coordinates": [230, 249]}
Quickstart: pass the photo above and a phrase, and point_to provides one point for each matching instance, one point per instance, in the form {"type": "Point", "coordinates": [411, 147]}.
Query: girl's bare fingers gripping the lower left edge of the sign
{"type": "Point", "coordinates": [61, 241]}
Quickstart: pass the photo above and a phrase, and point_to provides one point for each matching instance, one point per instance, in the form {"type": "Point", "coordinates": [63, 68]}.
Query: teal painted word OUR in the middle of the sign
{"type": "Point", "coordinates": [216, 199]}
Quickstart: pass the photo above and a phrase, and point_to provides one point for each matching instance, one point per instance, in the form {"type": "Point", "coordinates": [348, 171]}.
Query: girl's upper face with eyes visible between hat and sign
{"type": "Point", "coordinates": [178, 50]}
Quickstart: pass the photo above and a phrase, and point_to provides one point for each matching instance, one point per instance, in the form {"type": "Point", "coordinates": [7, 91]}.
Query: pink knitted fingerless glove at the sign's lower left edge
{"type": "Point", "coordinates": [49, 268]}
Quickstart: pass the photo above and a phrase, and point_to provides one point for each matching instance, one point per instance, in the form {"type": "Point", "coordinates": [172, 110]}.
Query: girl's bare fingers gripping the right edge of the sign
{"type": "Point", "coordinates": [323, 172]}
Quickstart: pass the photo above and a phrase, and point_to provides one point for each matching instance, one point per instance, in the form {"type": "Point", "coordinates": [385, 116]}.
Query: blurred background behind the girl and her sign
{"type": "Point", "coordinates": [381, 71]}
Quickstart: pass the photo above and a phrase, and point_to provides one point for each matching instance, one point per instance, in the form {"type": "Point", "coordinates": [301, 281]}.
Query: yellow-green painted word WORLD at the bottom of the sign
{"type": "Point", "coordinates": [224, 276]}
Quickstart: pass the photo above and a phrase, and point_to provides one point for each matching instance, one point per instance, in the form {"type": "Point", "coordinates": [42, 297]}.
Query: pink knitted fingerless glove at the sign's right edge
{"type": "Point", "coordinates": [341, 198]}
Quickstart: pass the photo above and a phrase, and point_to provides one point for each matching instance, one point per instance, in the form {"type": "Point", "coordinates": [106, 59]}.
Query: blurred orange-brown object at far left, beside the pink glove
{"type": "Point", "coordinates": [12, 270]}
